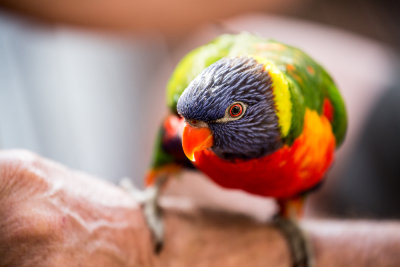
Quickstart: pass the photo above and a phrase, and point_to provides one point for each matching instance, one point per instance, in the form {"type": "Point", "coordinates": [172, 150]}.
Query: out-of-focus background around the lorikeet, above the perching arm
{"type": "Point", "coordinates": [83, 83]}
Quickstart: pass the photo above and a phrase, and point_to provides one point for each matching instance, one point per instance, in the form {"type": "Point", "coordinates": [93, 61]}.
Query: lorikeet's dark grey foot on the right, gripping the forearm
{"type": "Point", "coordinates": [297, 241]}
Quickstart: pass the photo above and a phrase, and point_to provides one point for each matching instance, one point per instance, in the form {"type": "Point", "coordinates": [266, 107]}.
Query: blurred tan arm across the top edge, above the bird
{"type": "Point", "coordinates": [170, 17]}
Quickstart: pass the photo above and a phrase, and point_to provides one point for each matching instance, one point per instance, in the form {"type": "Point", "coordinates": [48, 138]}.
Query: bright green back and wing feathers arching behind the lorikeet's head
{"type": "Point", "coordinates": [309, 83]}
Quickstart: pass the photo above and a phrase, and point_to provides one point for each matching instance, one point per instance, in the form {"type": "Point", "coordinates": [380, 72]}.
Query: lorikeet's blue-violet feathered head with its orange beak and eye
{"type": "Point", "coordinates": [229, 108]}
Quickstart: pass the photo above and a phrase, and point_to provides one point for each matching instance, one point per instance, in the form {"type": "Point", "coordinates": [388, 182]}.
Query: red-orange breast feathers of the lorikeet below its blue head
{"type": "Point", "coordinates": [282, 174]}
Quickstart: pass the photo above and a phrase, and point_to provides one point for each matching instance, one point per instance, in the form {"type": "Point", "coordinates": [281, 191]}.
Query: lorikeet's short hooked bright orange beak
{"type": "Point", "coordinates": [195, 139]}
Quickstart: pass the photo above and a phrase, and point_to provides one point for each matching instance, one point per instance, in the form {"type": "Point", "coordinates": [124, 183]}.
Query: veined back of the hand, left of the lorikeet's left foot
{"type": "Point", "coordinates": [53, 216]}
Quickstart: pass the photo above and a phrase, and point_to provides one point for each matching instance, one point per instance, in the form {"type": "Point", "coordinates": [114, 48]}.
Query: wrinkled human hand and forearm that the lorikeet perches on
{"type": "Point", "coordinates": [53, 216]}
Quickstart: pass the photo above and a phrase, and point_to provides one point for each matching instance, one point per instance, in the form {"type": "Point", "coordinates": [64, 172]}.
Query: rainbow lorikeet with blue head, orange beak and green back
{"type": "Point", "coordinates": [252, 114]}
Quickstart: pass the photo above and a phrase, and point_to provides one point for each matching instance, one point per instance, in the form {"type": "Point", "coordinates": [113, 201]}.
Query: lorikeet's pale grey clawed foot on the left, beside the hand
{"type": "Point", "coordinates": [148, 198]}
